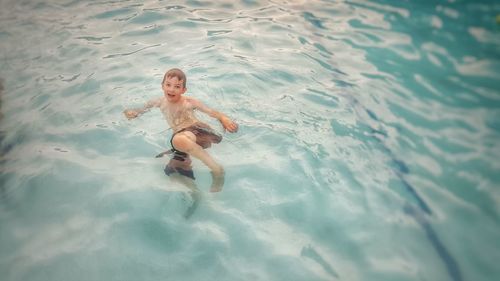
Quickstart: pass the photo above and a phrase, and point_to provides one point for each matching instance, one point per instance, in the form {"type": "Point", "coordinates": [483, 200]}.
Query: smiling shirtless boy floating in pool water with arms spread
{"type": "Point", "coordinates": [190, 136]}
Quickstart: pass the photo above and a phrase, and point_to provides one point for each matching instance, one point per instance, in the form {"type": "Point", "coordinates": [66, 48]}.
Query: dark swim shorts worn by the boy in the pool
{"type": "Point", "coordinates": [181, 162]}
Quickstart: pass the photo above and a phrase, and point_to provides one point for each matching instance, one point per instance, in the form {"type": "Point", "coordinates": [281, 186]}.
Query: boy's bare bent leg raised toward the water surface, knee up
{"type": "Point", "coordinates": [186, 142]}
